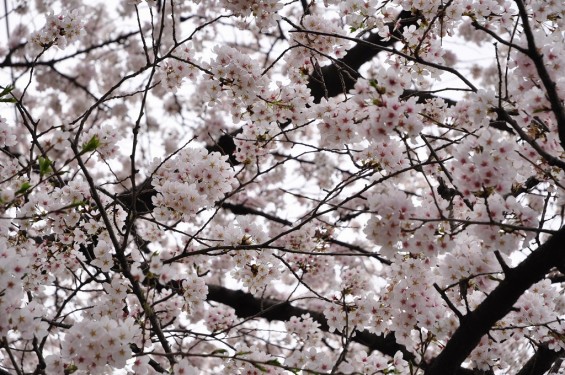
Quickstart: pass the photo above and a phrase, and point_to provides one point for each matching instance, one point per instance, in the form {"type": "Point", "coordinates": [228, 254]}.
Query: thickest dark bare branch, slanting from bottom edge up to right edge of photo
{"type": "Point", "coordinates": [497, 304]}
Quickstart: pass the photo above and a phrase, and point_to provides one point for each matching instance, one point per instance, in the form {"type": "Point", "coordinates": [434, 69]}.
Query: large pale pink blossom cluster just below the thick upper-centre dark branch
{"type": "Point", "coordinates": [374, 115]}
